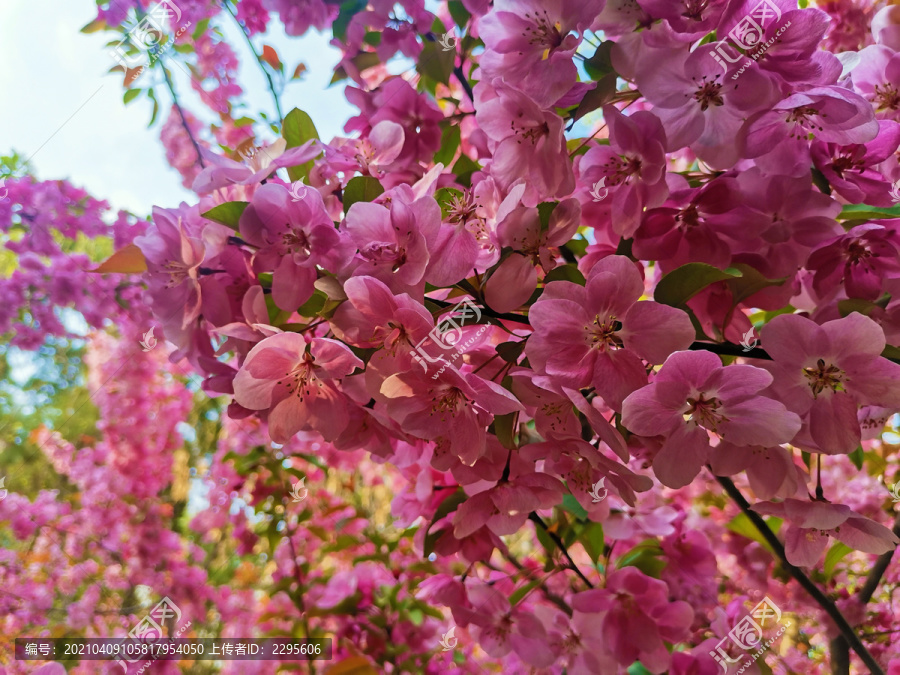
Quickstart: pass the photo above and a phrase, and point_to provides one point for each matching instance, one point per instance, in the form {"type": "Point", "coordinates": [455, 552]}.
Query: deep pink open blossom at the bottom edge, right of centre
{"type": "Point", "coordinates": [636, 617]}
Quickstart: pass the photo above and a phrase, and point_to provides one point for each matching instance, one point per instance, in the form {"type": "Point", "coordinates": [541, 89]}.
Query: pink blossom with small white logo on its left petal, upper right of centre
{"type": "Point", "coordinates": [632, 167]}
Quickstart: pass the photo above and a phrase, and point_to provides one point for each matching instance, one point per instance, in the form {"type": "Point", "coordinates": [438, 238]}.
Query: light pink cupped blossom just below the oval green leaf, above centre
{"type": "Point", "coordinates": [394, 242]}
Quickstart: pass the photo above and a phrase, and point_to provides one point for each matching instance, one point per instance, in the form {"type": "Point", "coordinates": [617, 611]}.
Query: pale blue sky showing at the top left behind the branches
{"type": "Point", "coordinates": [63, 109]}
